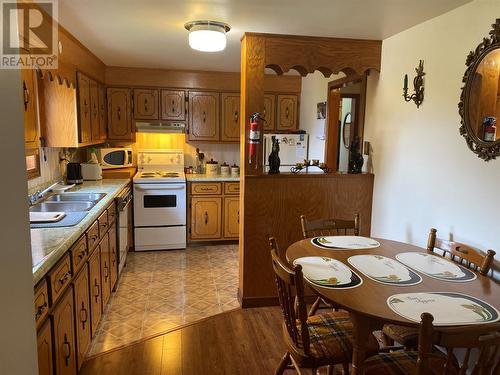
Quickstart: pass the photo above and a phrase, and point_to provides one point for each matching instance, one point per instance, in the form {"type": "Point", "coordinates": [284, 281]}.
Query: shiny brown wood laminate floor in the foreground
{"type": "Point", "coordinates": [239, 342]}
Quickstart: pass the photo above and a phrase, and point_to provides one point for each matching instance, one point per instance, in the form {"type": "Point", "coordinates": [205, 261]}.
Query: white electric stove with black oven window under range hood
{"type": "Point", "coordinates": [160, 200]}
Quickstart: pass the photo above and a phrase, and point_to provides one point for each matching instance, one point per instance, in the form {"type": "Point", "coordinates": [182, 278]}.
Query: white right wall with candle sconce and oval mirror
{"type": "Point", "coordinates": [425, 175]}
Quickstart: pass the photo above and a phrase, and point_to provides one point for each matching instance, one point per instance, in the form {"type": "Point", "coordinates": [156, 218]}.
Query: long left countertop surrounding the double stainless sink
{"type": "Point", "coordinates": [48, 245]}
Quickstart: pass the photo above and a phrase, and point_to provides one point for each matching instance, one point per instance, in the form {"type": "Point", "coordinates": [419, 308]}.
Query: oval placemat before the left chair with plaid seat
{"type": "Point", "coordinates": [328, 272]}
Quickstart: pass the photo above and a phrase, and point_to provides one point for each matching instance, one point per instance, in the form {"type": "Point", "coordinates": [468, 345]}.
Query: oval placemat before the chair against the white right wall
{"type": "Point", "coordinates": [436, 267]}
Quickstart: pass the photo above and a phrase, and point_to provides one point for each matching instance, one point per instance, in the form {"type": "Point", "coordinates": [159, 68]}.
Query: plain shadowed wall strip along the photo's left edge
{"type": "Point", "coordinates": [17, 322]}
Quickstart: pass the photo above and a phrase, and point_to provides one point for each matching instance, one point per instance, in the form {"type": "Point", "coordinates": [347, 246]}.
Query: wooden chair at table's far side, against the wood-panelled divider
{"type": "Point", "coordinates": [327, 227]}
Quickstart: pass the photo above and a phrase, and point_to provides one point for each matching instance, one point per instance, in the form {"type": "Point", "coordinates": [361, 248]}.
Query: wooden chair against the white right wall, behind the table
{"type": "Point", "coordinates": [457, 252]}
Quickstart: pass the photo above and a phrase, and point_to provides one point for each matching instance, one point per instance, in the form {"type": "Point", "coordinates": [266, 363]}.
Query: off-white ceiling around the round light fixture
{"type": "Point", "coordinates": [150, 33]}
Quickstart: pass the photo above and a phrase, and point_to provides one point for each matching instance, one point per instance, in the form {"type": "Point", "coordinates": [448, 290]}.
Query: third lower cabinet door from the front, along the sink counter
{"type": "Point", "coordinates": [82, 313]}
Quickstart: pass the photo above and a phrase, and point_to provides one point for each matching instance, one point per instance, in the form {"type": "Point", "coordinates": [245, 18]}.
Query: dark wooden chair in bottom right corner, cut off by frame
{"type": "Point", "coordinates": [483, 339]}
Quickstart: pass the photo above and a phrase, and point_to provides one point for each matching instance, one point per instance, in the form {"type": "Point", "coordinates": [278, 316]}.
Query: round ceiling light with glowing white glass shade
{"type": "Point", "coordinates": [207, 36]}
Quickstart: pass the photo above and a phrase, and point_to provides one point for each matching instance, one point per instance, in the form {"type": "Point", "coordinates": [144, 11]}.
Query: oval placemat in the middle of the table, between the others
{"type": "Point", "coordinates": [384, 270]}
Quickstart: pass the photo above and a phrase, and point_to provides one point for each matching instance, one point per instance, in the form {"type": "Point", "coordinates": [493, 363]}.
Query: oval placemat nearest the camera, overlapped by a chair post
{"type": "Point", "coordinates": [447, 308]}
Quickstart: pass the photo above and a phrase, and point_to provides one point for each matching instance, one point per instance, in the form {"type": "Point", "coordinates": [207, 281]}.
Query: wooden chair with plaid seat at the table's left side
{"type": "Point", "coordinates": [312, 341]}
